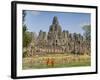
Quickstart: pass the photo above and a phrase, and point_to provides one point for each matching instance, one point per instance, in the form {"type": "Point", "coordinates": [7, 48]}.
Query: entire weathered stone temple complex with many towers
{"type": "Point", "coordinates": [57, 40]}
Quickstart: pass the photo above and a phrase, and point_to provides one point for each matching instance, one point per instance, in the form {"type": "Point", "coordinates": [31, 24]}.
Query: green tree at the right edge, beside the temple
{"type": "Point", "coordinates": [87, 32]}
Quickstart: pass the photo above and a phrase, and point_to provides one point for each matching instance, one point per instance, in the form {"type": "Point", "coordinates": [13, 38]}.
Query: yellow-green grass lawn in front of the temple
{"type": "Point", "coordinates": [60, 60]}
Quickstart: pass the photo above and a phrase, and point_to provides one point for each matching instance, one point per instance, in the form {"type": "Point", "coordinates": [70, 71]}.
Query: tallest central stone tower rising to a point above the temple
{"type": "Point", "coordinates": [55, 33]}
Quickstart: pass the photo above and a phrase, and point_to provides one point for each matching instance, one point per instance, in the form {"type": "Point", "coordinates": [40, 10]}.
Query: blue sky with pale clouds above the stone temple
{"type": "Point", "coordinates": [41, 20]}
